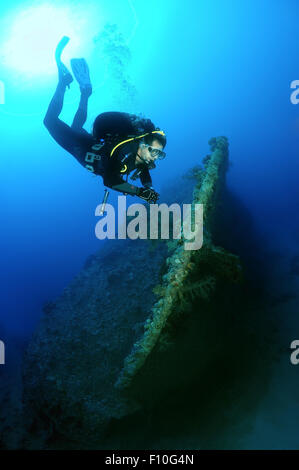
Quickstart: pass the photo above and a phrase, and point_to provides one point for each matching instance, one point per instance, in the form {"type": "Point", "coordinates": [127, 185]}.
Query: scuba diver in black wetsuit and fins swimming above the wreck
{"type": "Point", "coordinates": [120, 142]}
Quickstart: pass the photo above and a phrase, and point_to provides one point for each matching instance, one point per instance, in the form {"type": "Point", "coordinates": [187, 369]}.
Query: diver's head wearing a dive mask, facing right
{"type": "Point", "coordinates": [151, 149]}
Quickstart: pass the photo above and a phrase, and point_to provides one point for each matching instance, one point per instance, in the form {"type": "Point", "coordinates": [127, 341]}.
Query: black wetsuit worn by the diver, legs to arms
{"type": "Point", "coordinates": [94, 154]}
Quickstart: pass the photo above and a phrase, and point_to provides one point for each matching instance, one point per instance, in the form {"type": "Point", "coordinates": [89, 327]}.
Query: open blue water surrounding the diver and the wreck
{"type": "Point", "coordinates": [198, 69]}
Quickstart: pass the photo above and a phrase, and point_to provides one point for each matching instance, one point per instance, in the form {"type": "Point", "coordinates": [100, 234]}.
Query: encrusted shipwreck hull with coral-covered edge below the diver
{"type": "Point", "coordinates": [138, 322]}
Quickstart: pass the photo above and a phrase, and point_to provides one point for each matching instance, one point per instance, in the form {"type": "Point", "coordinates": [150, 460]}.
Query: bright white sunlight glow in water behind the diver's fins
{"type": "Point", "coordinates": [34, 32]}
